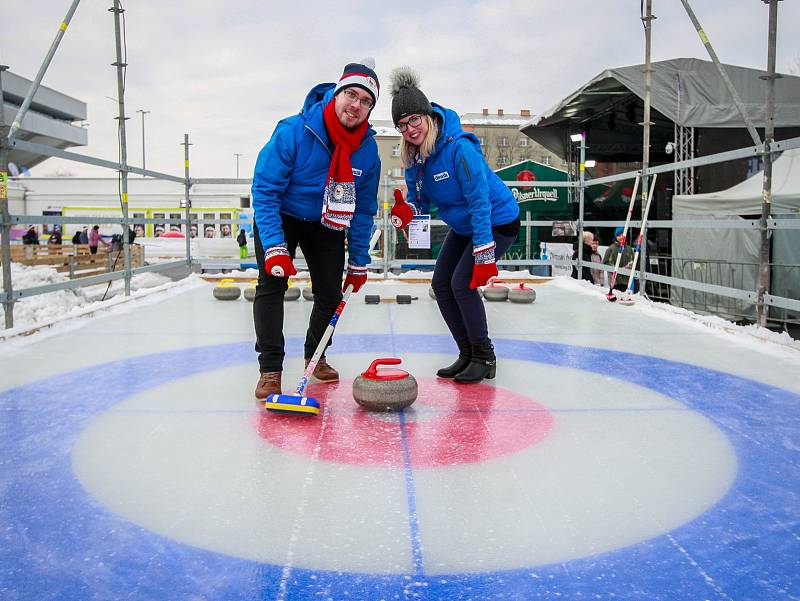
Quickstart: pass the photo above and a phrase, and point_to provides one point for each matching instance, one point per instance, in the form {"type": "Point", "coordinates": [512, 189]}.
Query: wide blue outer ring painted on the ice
{"type": "Point", "coordinates": [58, 543]}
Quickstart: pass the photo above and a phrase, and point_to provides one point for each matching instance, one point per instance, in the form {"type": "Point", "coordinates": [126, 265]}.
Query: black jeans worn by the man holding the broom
{"type": "Point", "coordinates": [323, 249]}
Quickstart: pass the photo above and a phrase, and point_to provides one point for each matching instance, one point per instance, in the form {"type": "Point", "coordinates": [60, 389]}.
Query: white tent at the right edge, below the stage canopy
{"type": "Point", "coordinates": [729, 257]}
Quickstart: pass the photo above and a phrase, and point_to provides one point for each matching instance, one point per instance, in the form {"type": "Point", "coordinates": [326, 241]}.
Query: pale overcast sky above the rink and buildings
{"type": "Point", "coordinates": [225, 71]}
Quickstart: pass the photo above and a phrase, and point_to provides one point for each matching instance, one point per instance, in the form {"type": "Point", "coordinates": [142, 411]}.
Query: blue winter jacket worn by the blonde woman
{"type": "Point", "coordinates": [468, 195]}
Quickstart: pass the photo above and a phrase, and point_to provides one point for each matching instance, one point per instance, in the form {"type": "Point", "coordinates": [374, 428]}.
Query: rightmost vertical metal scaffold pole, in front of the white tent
{"type": "Point", "coordinates": [766, 196]}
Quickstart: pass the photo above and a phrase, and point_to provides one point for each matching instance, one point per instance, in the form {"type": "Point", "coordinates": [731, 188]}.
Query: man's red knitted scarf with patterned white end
{"type": "Point", "coordinates": [339, 200]}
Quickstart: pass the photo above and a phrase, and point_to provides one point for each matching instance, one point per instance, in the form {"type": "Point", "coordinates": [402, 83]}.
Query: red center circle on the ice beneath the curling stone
{"type": "Point", "coordinates": [448, 424]}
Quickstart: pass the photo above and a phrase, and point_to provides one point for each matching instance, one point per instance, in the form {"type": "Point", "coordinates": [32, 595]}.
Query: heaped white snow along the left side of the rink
{"type": "Point", "coordinates": [46, 311]}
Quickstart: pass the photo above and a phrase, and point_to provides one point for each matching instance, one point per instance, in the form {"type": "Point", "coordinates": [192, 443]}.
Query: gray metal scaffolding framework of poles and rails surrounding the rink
{"type": "Point", "coordinates": [655, 280]}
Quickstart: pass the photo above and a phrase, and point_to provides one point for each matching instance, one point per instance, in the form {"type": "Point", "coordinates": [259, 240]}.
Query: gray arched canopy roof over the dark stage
{"type": "Point", "coordinates": [686, 92]}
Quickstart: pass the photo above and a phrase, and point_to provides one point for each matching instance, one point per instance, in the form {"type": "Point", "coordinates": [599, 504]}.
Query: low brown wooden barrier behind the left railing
{"type": "Point", "coordinates": [76, 259]}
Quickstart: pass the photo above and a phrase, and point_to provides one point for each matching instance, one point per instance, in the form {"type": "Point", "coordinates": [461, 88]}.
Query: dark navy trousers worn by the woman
{"type": "Point", "coordinates": [461, 307]}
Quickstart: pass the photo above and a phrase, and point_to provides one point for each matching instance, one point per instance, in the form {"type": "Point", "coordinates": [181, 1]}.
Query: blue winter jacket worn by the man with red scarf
{"type": "Point", "coordinates": [292, 171]}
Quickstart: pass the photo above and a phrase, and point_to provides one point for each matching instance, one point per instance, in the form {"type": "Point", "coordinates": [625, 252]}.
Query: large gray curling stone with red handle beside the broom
{"type": "Point", "coordinates": [387, 389]}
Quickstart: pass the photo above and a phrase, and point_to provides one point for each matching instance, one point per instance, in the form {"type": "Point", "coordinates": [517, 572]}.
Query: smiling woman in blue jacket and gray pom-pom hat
{"type": "Point", "coordinates": [444, 166]}
